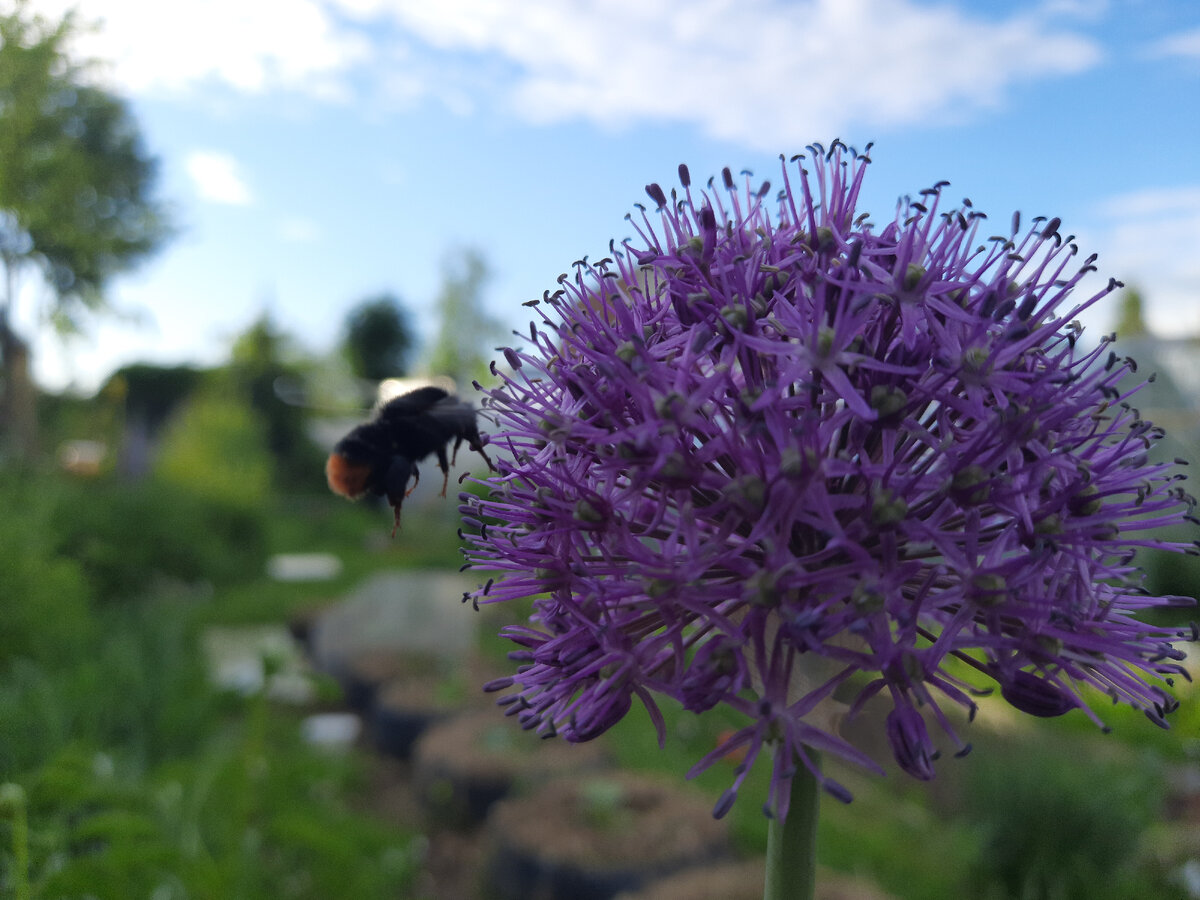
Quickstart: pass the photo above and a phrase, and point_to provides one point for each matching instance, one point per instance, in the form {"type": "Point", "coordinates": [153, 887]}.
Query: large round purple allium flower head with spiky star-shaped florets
{"type": "Point", "coordinates": [759, 458]}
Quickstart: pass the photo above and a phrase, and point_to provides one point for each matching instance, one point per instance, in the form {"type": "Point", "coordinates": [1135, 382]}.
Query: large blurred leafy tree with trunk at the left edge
{"type": "Point", "coordinates": [76, 193]}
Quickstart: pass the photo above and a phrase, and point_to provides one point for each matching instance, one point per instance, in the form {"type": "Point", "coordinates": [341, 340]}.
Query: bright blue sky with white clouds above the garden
{"type": "Point", "coordinates": [319, 152]}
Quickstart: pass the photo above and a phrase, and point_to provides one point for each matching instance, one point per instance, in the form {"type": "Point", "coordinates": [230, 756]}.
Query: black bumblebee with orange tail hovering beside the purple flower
{"type": "Point", "coordinates": [380, 458]}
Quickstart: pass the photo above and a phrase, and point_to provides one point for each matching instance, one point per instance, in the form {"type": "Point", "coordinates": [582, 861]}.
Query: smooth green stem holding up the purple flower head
{"type": "Point", "coordinates": [793, 845]}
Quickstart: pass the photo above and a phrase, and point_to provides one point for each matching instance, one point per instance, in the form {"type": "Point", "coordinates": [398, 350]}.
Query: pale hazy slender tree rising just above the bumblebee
{"type": "Point", "coordinates": [465, 329]}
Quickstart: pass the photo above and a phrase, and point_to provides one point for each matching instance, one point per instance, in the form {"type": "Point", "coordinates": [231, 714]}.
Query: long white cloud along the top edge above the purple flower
{"type": "Point", "coordinates": [763, 73]}
